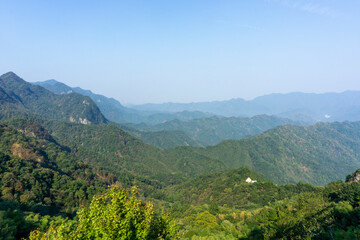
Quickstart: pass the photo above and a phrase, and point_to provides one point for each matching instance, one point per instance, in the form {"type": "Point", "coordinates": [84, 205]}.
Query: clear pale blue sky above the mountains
{"type": "Point", "coordinates": [155, 51]}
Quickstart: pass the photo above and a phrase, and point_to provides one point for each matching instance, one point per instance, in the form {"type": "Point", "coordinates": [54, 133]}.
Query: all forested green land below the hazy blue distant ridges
{"type": "Point", "coordinates": [66, 180]}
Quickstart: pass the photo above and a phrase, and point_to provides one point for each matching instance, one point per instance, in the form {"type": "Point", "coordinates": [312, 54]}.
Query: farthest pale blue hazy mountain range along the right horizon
{"type": "Point", "coordinates": [298, 106]}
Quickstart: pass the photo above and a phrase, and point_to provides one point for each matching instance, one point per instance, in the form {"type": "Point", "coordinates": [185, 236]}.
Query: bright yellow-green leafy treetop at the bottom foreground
{"type": "Point", "coordinates": [113, 215]}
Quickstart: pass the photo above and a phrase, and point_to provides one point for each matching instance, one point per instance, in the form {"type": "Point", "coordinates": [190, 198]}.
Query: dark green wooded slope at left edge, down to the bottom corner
{"type": "Point", "coordinates": [40, 181]}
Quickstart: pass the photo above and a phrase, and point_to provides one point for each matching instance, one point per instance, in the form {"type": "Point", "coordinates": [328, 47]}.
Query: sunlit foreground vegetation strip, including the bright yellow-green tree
{"type": "Point", "coordinates": [332, 213]}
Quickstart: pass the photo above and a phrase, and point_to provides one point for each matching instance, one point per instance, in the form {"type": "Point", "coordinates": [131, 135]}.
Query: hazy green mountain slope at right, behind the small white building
{"type": "Point", "coordinates": [318, 153]}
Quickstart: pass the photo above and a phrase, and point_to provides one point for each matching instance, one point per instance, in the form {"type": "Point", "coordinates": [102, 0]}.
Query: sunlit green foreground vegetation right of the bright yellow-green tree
{"type": "Point", "coordinates": [311, 215]}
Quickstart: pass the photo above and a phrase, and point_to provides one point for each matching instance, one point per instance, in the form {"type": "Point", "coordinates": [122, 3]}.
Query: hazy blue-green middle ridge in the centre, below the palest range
{"type": "Point", "coordinates": [212, 130]}
